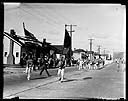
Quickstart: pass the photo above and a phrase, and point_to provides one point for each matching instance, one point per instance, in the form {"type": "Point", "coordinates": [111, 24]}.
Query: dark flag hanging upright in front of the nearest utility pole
{"type": "Point", "coordinates": [67, 40]}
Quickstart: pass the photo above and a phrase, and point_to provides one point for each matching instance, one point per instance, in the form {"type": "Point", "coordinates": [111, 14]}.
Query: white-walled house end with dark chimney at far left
{"type": "Point", "coordinates": [11, 48]}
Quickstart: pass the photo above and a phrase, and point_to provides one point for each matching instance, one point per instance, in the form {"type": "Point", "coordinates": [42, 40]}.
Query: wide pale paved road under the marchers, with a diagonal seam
{"type": "Point", "coordinates": [104, 83]}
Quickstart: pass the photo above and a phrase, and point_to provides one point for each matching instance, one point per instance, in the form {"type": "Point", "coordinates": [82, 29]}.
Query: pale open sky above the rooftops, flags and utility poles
{"type": "Point", "coordinates": [105, 23]}
